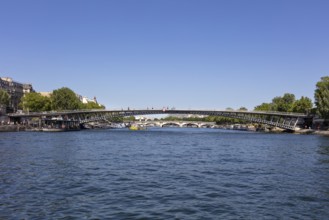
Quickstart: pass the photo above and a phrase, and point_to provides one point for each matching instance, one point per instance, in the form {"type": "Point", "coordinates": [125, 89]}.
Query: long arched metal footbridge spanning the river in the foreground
{"type": "Point", "coordinates": [284, 120]}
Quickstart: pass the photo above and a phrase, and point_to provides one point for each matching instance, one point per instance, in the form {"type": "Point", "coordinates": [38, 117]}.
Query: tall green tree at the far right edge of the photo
{"type": "Point", "coordinates": [321, 97]}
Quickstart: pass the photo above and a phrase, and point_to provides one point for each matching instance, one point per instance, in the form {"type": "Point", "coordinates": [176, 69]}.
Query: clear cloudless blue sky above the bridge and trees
{"type": "Point", "coordinates": [207, 54]}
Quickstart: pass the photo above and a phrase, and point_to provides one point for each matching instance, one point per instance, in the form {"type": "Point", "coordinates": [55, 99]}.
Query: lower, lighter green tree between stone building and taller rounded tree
{"type": "Point", "coordinates": [35, 102]}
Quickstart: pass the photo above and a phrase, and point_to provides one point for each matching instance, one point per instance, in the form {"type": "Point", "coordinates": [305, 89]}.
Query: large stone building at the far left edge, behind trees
{"type": "Point", "coordinates": [15, 90]}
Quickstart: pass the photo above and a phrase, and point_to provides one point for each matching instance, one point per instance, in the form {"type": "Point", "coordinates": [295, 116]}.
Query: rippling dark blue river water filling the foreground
{"type": "Point", "coordinates": [163, 173]}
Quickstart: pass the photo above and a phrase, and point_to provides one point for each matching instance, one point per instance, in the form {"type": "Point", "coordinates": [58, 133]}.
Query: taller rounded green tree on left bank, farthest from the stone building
{"type": "Point", "coordinates": [65, 99]}
